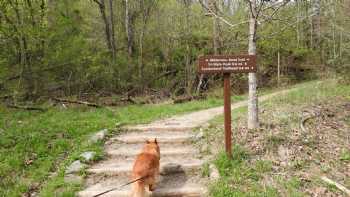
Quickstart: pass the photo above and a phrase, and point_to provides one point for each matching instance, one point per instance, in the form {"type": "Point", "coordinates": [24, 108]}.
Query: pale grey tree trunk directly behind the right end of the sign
{"type": "Point", "coordinates": [253, 121]}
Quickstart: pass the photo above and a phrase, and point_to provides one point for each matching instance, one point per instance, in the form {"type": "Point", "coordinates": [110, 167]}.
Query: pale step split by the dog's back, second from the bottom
{"type": "Point", "coordinates": [115, 167]}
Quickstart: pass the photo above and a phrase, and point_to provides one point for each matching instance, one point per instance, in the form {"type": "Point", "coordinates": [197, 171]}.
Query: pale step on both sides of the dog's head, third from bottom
{"type": "Point", "coordinates": [166, 150]}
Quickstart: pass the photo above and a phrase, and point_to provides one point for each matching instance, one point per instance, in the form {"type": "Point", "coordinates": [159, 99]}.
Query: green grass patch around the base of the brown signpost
{"type": "Point", "coordinates": [239, 178]}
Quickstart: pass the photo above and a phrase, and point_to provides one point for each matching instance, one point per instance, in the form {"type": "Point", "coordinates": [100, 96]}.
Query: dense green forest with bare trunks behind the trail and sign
{"type": "Point", "coordinates": [91, 49]}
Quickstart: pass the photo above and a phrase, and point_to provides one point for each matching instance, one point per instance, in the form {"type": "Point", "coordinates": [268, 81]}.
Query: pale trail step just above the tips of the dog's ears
{"type": "Point", "coordinates": [162, 137]}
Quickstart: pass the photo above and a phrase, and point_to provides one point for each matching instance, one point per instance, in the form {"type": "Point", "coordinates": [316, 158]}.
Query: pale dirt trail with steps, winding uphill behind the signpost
{"type": "Point", "coordinates": [180, 161]}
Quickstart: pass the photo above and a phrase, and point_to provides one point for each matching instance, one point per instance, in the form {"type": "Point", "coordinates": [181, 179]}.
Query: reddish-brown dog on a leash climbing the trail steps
{"type": "Point", "coordinates": [146, 167]}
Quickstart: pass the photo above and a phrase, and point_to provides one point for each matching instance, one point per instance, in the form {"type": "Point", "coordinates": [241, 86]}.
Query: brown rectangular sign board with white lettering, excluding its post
{"type": "Point", "coordinates": [227, 64]}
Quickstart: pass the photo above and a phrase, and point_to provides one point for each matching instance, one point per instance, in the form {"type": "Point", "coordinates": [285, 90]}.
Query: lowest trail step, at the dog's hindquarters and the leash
{"type": "Point", "coordinates": [177, 185]}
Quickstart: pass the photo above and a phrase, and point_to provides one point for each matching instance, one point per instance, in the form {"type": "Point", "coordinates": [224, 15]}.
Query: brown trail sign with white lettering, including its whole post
{"type": "Point", "coordinates": [227, 64]}
